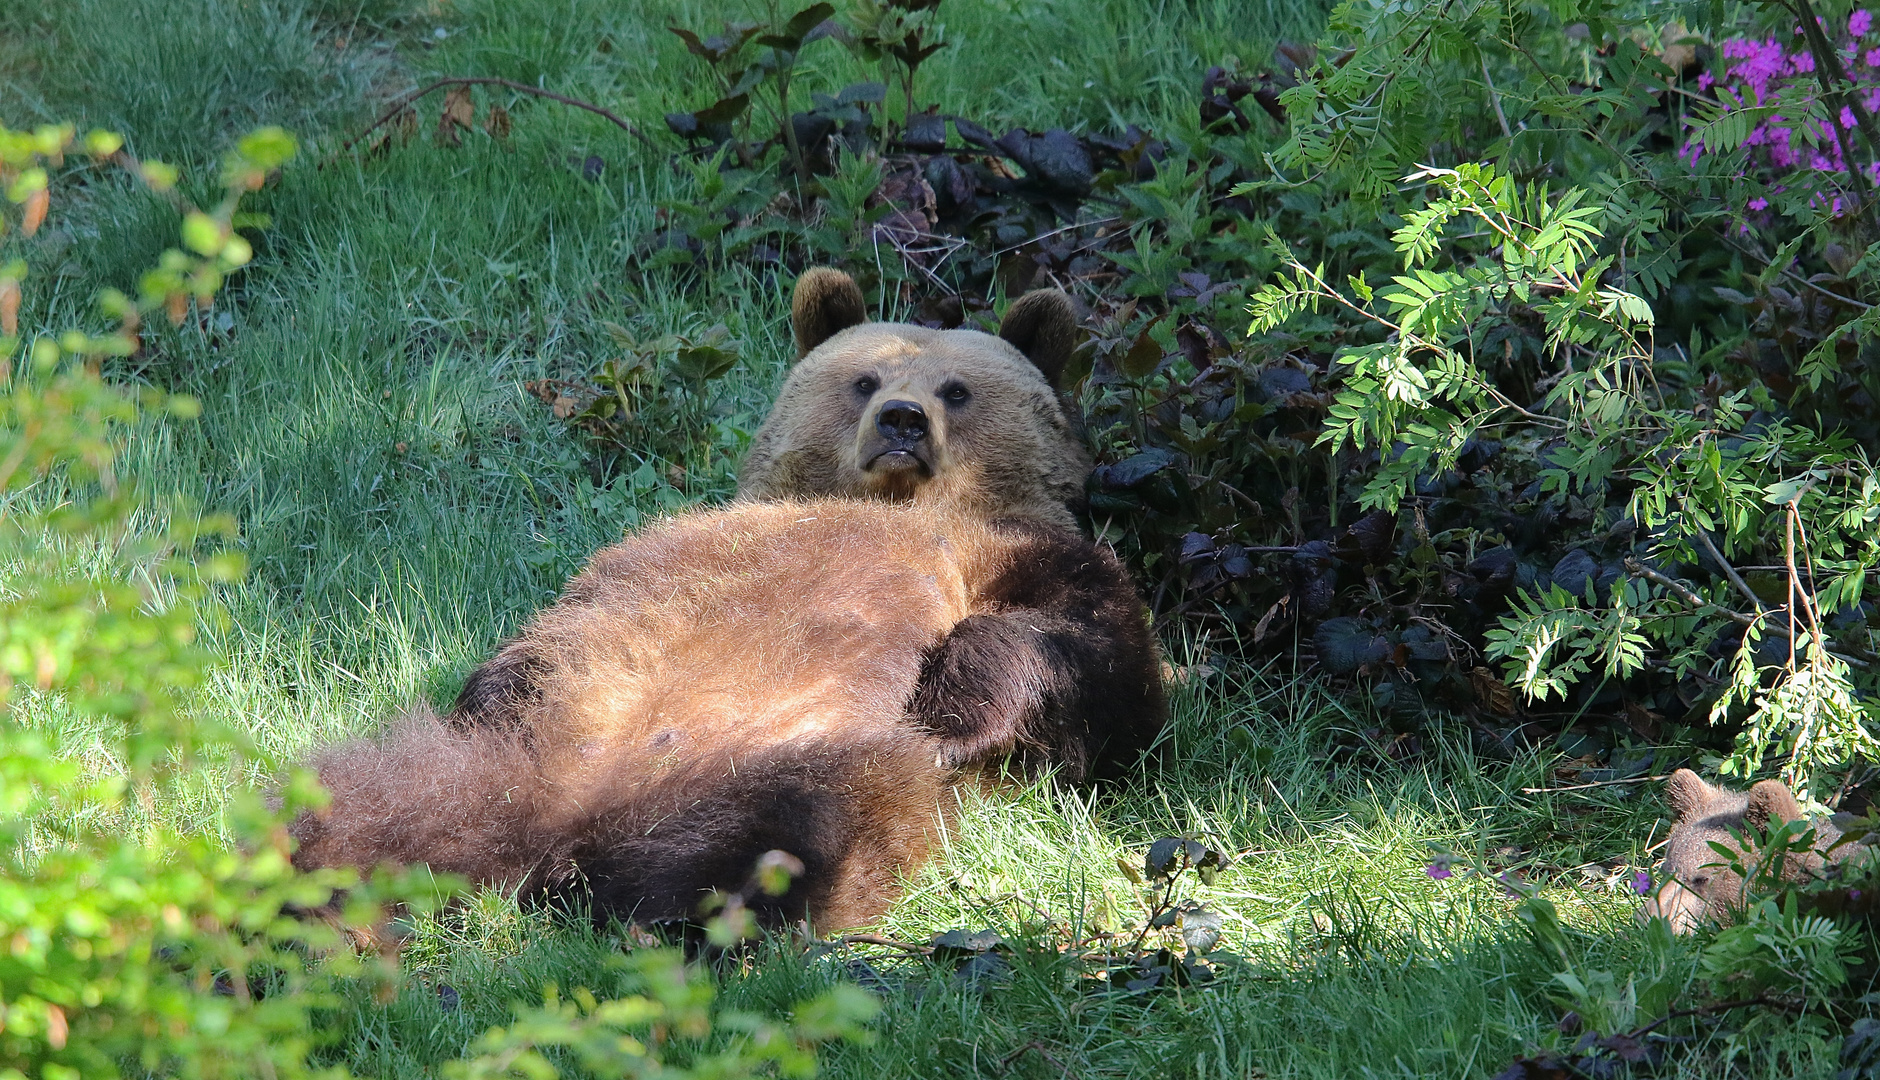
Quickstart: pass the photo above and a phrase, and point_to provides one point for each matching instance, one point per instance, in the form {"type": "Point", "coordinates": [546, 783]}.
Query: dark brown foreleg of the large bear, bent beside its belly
{"type": "Point", "coordinates": [1057, 665]}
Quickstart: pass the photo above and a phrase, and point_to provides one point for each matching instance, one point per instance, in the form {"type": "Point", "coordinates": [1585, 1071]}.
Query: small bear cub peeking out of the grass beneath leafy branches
{"type": "Point", "coordinates": [1699, 881]}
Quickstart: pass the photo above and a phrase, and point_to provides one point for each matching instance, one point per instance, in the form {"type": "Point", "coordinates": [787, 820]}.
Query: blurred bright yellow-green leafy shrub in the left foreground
{"type": "Point", "coordinates": [136, 942]}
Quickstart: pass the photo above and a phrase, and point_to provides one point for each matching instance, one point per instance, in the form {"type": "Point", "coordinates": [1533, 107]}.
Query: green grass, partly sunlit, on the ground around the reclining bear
{"type": "Point", "coordinates": [405, 503]}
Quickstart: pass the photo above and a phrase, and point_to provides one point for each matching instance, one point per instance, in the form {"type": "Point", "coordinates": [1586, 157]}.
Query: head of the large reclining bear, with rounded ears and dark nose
{"type": "Point", "coordinates": [903, 413]}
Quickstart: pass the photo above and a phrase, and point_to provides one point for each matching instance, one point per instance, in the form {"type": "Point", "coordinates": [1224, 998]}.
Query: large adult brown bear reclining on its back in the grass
{"type": "Point", "coordinates": [898, 599]}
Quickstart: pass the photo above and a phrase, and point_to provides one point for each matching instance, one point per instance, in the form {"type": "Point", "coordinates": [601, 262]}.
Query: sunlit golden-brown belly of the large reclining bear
{"type": "Point", "coordinates": [742, 629]}
